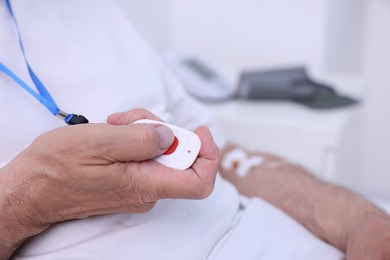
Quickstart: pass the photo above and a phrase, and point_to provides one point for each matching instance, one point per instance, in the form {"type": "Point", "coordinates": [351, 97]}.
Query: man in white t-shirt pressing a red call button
{"type": "Point", "coordinates": [93, 191]}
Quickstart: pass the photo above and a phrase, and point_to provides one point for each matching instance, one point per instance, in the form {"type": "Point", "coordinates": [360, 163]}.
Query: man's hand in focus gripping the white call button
{"type": "Point", "coordinates": [79, 171]}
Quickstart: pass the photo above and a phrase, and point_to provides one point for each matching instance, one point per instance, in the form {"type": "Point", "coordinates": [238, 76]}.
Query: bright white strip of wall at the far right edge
{"type": "Point", "coordinates": [375, 157]}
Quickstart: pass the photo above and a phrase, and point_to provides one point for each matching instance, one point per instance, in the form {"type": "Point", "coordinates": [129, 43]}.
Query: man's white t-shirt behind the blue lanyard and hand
{"type": "Point", "coordinates": [94, 63]}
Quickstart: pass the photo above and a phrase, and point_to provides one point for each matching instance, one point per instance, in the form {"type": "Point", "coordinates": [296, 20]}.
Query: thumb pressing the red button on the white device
{"type": "Point", "coordinates": [135, 142]}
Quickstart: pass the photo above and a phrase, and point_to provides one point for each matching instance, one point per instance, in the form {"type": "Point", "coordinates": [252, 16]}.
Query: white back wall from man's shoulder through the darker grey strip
{"type": "Point", "coordinates": [246, 34]}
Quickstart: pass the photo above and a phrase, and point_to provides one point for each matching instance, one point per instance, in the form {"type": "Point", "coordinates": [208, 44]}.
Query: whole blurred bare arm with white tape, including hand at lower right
{"type": "Point", "coordinates": [334, 214]}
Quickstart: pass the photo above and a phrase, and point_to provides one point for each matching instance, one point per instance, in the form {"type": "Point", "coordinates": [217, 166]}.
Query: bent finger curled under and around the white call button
{"type": "Point", "coordinates": [194, 183]}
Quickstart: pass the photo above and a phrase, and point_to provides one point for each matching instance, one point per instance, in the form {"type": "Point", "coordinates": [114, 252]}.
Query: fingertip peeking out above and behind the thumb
{"type": "Point", "coordinates": [125, 118]}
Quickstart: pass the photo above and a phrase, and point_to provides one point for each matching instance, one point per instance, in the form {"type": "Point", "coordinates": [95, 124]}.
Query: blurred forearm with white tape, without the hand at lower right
{"type": "Point", "coordinates": [329, 211]}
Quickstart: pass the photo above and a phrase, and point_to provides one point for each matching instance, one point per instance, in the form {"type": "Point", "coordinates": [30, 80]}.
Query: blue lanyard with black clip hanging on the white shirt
{"type": "Point", "coordinates": [42, 95]}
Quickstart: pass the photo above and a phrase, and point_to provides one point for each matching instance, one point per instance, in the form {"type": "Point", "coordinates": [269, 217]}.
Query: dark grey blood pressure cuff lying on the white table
{"type": "Point", "coordinates": [289, 84]}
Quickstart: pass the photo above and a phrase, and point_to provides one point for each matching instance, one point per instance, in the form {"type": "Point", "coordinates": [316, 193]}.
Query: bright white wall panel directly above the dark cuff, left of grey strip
{"type": "Point", "coordinates": [250, 34]}
